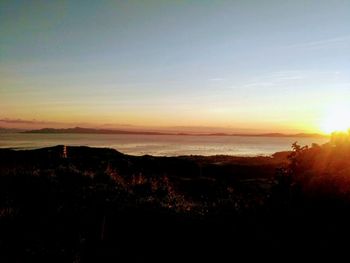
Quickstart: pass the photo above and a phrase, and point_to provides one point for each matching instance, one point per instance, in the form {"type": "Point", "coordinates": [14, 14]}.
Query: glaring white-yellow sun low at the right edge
{"type": "Point", "coordinates": [337, 118]}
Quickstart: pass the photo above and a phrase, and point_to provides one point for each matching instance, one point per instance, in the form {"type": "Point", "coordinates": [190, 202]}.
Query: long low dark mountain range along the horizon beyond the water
{"type": "Point", "coordinates": [79, 130]}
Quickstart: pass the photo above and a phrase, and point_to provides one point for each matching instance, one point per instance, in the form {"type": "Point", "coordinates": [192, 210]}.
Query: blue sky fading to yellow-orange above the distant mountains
{"type": "Point", "coordinates": [269, 66]}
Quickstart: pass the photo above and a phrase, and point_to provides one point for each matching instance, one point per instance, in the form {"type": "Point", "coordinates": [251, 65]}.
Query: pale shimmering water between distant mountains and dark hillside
{"type": "Point", "coordinates": [167, 145]}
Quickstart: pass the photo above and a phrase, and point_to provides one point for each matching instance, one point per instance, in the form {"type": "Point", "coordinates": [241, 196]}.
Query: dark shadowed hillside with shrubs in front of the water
{"type": "Point", "coordinates": [98, 205]}
